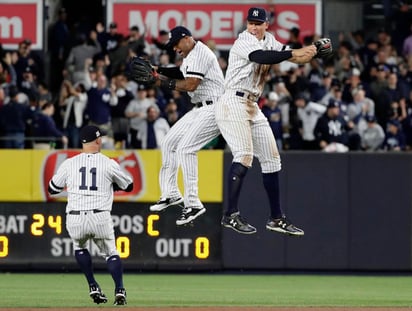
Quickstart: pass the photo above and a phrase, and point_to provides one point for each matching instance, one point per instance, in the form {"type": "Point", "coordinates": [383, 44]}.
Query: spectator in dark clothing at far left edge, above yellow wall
{"type": "Point", "coordinates": [14, 118]}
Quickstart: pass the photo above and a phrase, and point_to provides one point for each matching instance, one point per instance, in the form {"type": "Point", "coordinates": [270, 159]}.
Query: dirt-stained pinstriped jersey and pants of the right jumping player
{"type": "Point", "coordinates": [240, 120]}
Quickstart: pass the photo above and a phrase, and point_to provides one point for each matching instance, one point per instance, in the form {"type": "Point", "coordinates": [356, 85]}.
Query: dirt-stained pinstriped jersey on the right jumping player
{"type": "Point", "coordinates": [242, 74]}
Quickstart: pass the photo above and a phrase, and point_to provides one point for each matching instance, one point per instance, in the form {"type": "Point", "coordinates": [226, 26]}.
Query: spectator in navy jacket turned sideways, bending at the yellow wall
{"type": "Point", "coordinates": [44, 129]}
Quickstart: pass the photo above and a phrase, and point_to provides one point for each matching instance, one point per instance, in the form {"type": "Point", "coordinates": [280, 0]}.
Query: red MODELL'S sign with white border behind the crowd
{"type": "Point", "coordinates": [220, 21]}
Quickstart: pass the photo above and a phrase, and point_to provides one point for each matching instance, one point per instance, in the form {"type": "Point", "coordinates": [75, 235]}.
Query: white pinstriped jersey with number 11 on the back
{"type": "Point", "coordinates": [89, 178]}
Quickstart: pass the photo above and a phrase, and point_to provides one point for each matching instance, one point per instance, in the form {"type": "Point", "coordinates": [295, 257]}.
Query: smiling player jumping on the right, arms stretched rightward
{"type": "Point", "coordinates": [243, 125]}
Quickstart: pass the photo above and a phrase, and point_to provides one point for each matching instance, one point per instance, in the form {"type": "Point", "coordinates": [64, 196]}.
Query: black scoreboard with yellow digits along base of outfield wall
{"type": "Point", "coordinates": [33, 235]}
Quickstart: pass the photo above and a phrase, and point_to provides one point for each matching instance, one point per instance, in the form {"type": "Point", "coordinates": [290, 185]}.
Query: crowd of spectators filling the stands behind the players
{"type": "Point", "coordinates": [358, 99]}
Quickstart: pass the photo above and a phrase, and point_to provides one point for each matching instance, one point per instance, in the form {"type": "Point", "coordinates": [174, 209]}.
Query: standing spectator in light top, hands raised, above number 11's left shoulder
{"type": "Point", "coordinates": [72, 103]}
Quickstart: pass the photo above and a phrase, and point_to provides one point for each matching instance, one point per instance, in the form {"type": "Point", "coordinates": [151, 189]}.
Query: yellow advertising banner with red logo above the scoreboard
{"type": "Point", "coordinates": [26, 174]}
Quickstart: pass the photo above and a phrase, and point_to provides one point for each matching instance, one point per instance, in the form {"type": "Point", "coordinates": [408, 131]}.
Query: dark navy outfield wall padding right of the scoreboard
{"type": "Point", "coordinates": [355, 209]}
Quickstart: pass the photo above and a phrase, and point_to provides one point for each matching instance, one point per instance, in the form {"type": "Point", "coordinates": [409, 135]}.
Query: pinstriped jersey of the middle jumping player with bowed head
{"type": "Point", "coordinates": [201, 63]}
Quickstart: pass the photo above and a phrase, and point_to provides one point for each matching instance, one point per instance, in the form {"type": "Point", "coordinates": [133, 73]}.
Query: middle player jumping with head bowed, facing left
{"type": "Point", "coordinates": [201, 76]}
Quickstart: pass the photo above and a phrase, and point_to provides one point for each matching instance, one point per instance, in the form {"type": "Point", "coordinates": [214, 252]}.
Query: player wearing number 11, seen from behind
{"type": "Point", "coordinates": [90, 178]}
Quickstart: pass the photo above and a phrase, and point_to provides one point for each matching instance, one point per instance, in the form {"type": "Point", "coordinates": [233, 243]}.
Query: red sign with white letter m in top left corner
{"type": "Point", "coordinates": [21, 20]}
